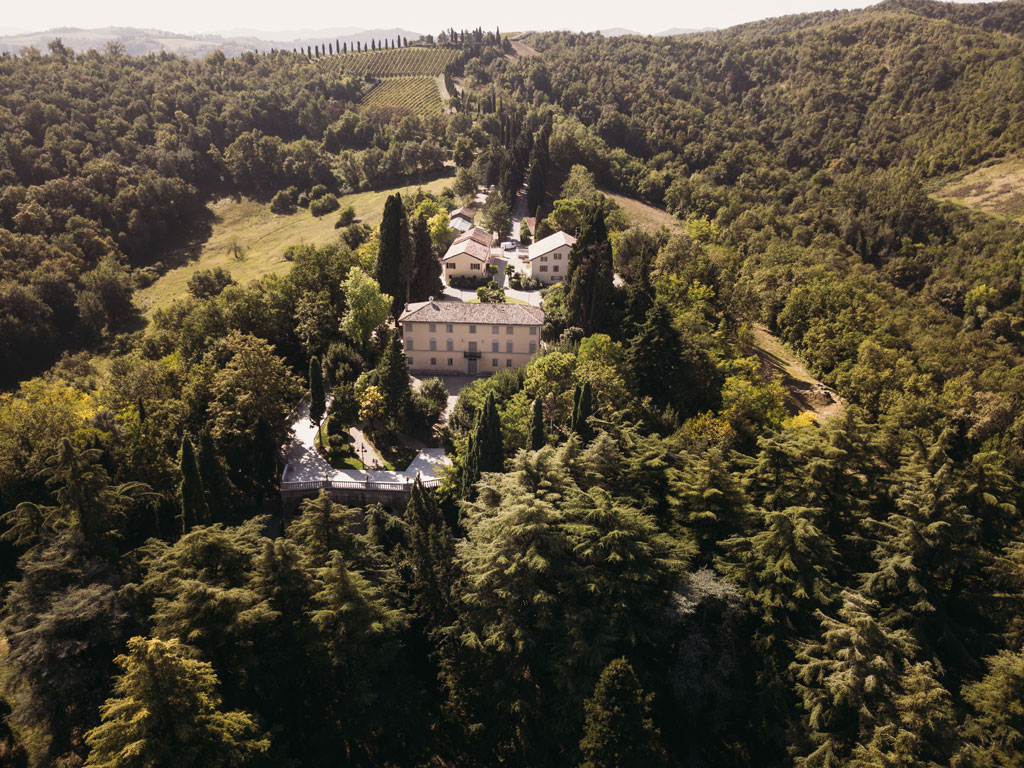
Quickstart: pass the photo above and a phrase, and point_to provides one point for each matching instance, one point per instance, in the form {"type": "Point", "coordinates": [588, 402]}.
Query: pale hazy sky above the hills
{"type": "Point", "coordinates": [207, 16]}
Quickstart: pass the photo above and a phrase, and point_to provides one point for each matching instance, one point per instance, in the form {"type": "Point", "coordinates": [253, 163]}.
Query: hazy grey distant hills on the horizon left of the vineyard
{"type": "Point", "coordinates": [140, 41]}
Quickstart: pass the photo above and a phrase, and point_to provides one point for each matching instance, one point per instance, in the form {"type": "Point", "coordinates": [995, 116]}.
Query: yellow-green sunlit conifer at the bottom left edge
{"type": "Point", "coordinates": [166, 712]}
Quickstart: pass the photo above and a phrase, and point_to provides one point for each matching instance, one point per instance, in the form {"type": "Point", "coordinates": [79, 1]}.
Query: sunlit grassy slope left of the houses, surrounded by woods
{"type": "Point", "coordinates": [265, 237]}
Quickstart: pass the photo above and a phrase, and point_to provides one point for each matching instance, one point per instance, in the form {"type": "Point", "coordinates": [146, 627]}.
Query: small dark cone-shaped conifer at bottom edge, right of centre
{"type": "Point", "coordinates": [619, 732]}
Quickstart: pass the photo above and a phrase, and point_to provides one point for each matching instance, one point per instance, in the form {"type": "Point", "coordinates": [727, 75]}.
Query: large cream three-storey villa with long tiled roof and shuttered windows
{"type": "Point", "coordinates": [462, 338]}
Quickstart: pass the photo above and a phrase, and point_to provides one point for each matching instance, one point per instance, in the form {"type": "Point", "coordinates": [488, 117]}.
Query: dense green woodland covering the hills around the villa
{"type": "Point", "coordinates": [642, 556]}
